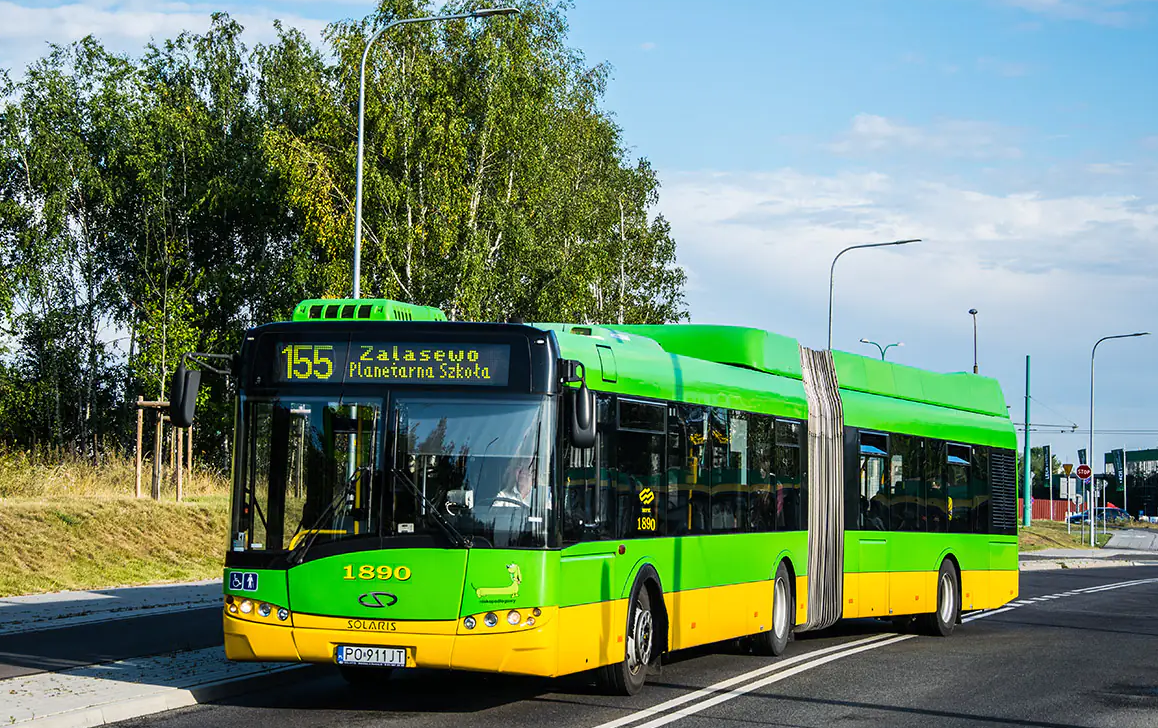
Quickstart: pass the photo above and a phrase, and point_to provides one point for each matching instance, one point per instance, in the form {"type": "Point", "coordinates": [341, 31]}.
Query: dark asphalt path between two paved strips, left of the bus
{"type": "Point", "coordinates": [107, 642]}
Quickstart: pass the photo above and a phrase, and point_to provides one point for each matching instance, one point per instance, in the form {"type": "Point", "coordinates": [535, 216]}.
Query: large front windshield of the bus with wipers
{"type": "Point", "coordinates": [473, 472]}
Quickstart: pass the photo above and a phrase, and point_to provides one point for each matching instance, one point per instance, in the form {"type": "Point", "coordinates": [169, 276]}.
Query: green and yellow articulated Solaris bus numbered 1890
{"type": "Point", "coordinates": [547, 499]}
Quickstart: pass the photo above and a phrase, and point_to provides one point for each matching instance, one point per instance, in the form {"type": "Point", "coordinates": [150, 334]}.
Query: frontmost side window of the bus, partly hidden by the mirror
{"type": "Point", "coordinates": [589, 502]}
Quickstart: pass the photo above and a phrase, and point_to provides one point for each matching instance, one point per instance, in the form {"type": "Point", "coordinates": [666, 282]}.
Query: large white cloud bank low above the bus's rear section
{"type": "Point", "coordinates": [1049, 273]}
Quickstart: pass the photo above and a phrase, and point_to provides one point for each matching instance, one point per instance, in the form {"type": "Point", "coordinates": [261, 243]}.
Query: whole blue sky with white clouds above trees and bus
{"type": "Point", "coordinates": [1020, 138]}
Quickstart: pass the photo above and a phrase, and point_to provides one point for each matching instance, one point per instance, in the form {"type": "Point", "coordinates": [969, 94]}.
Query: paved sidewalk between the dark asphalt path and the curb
{"type": "Point", "coordinates": [98, 695]}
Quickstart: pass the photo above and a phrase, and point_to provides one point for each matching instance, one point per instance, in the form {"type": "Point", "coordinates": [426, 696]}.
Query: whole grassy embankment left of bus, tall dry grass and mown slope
{"type": "Point", "coordinates": [67, 525]}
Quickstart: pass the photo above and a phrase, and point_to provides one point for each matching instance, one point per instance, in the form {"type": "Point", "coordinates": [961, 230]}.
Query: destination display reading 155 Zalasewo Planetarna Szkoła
{"type": "Point", "coordinates": [360, 363]}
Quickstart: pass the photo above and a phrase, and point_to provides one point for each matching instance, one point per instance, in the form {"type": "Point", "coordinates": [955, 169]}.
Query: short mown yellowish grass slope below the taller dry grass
{"type": "Point", "coordinates": [85, 543]}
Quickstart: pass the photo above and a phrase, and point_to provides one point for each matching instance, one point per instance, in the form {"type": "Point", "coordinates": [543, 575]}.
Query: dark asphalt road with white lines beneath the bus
{"type": "Point", "coordinates": [1061, 657]}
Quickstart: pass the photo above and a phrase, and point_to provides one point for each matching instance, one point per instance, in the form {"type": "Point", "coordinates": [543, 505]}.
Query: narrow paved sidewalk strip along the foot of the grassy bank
{"type": "Point", "coordinates": [65, 609]}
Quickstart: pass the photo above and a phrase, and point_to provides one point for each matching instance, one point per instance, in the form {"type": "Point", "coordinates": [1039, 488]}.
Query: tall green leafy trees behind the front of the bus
{"type": "Point", "coordinates": [164, 204]}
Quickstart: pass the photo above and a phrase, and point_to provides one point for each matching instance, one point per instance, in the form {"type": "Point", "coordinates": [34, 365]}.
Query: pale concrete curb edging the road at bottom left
{"type": "Point", "coordinates": [168, 700]}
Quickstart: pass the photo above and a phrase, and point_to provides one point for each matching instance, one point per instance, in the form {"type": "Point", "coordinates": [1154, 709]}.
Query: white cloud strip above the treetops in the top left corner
{"type": "Point", "coordinates": [126, 26]}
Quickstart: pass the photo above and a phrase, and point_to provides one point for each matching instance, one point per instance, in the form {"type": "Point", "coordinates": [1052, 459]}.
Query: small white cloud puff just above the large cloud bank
{"type": "Point", "coordinates": [870, 134]}
